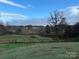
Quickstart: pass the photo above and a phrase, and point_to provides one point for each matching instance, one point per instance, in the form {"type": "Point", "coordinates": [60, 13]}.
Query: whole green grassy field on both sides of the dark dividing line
{"type": "Point", "coordinates": [62, 50]}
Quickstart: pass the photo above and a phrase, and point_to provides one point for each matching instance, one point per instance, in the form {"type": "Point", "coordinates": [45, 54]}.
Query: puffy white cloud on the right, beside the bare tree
{"type": "Point", "coordinates": [72, 14]}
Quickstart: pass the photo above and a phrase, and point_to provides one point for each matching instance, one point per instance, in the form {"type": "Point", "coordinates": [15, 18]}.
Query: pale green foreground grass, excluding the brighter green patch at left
{"type": "Point", "coordinates": [43, 51]}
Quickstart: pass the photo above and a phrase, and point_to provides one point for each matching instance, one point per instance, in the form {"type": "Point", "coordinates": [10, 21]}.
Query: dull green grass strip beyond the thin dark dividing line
{"type": "Point", "coordinates": [24, 38]}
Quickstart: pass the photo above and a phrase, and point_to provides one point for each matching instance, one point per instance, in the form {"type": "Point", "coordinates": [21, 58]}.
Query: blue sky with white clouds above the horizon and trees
{"type": "Point", "coordinates": [36, 12]}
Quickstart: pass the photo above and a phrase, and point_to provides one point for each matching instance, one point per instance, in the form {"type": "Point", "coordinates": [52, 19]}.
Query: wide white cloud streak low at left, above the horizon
{"type": "Point", "coordinates": [11, 16]}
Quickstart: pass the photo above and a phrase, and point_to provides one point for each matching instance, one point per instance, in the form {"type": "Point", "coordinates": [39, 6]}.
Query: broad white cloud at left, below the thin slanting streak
{"type": "Point", "coordinates": [9, 17]}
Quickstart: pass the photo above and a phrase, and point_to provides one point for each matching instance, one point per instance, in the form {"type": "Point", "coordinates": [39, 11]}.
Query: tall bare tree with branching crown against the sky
{"type": "Point", "coordinates": [56, 19]}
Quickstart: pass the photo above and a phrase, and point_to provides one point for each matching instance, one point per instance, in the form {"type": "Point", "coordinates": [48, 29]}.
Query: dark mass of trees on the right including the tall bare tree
{"type": "Point", "coordinates": [59, 27]}
